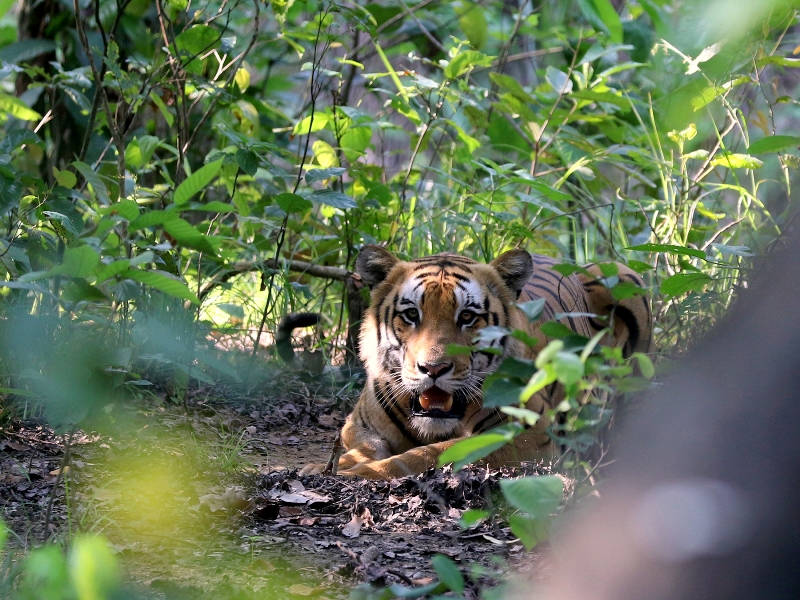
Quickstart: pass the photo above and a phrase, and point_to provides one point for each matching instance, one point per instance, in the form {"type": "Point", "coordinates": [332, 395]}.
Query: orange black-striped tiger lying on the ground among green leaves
{"type": "Point", "coordinates": [419, 400]}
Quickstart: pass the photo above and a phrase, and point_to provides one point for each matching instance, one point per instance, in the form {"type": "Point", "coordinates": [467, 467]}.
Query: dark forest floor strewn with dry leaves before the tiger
{"type": "Point", "coordinates": [203, 500]}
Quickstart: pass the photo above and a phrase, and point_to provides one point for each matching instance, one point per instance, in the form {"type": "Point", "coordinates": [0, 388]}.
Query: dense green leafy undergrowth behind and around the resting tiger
{"type": "Point", "coordinates": [168, 169]}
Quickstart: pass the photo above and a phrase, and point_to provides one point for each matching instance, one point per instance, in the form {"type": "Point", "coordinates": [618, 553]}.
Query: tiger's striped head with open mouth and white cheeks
{"type": "Point", "coordinates": [420, 307]}
